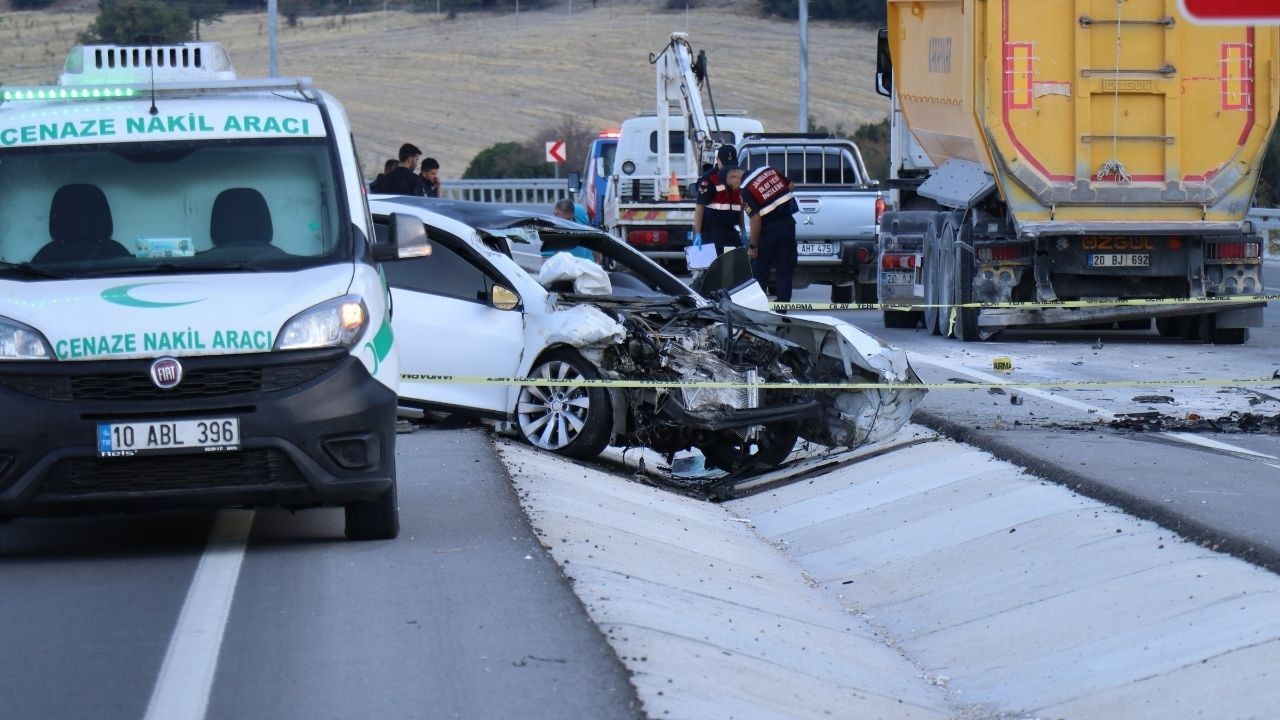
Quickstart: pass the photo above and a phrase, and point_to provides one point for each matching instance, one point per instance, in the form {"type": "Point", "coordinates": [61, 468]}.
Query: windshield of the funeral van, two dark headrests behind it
{"type": "Point", "coordinates": [170, 208]}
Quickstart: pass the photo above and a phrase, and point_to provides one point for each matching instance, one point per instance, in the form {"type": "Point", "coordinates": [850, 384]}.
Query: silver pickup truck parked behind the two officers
{"type": "Point", "coordinates": [840, 207]}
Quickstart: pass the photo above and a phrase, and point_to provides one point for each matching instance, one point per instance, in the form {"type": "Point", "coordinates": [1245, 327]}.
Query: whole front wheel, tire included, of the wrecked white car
{"type": "Point", "coordinates": [569, 421]}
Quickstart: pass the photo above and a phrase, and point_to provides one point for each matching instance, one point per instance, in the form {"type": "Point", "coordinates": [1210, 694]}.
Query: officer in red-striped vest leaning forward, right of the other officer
{"type": "Point", "coordinates": [772, 236]}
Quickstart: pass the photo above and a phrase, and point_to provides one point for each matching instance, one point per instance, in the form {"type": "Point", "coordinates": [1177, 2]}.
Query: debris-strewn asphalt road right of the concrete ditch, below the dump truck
{"type": "Point", "coordinates": [1214, 487]}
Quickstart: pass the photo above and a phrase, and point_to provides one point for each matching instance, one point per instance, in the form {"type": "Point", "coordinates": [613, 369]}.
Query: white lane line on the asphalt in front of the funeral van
{"type": "Point", "coordinates": [188, 673]}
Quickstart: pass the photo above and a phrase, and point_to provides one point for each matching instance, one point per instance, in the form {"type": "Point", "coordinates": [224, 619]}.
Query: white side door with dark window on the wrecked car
{"type": "Point", "coordinates": [446, 325]}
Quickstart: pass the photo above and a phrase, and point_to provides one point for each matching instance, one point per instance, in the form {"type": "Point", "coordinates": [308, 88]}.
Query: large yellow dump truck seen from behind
{"type": "Point", "coordinates": [1054, 151]}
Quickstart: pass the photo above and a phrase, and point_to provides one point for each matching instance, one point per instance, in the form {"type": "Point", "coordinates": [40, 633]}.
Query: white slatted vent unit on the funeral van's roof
{"type": "Point", "coordinates": [185, 62]}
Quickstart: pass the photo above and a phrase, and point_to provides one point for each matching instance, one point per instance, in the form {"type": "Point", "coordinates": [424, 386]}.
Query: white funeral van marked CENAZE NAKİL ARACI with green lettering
{"type": "Point", "coordinates": [190, 308]}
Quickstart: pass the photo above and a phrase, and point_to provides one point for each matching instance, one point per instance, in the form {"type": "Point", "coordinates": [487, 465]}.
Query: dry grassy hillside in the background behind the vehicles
{"type": "Point", "coordinates": [456, 86]}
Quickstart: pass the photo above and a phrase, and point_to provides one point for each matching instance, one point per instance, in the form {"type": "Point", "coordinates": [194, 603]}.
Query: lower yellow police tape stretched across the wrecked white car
{"type": "Point", "coordinates": [710, 385]}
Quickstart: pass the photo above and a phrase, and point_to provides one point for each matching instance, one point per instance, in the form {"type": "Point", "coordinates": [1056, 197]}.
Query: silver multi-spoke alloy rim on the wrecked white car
{"type": "Point", "coordinates": [552, 418]}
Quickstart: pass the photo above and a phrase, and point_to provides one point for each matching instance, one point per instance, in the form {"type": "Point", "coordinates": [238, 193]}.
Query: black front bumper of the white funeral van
{"type": "Point", "coordinates": [316, 430]}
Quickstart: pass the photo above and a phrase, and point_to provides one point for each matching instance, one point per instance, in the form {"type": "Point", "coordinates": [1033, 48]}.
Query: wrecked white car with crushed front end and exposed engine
{"type": "Point", "coordinates": [509, 293]}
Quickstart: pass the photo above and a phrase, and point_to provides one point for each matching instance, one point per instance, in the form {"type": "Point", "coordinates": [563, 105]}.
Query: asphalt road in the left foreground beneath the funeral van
{"type": "Point", "coordinates": [464, 617]}
